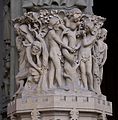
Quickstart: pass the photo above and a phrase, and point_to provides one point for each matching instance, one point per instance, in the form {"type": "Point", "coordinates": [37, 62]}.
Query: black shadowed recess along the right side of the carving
{"type": "Point", "coordinates": [108, 9]}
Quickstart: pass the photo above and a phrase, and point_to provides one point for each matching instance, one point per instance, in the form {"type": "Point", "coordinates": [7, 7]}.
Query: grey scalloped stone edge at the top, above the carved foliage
{"type": "Point", "coordinates": [67, 3]}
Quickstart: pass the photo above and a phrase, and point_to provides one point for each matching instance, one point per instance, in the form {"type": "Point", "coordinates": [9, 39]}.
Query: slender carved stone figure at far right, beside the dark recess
{"type": "Point", "coordinates": [99, 59]}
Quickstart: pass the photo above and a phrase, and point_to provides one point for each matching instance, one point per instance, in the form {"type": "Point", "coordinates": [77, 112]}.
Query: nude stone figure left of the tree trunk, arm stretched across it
{"type": "Point", "coordinates": [55, 52]}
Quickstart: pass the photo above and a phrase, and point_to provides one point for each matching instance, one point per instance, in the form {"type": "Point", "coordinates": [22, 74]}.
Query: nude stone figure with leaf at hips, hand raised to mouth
{"type": "Point", "coordinates": [85, 55]}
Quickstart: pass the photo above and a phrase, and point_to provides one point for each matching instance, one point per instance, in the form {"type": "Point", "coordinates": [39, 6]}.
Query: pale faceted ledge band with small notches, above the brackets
{"type": "Point", "coordinates": [52, 102]}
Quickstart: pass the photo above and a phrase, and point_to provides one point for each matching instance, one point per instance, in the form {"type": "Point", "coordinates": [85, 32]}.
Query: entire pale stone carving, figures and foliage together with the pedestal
{"type": "Point", "coordinates": [61, 53]}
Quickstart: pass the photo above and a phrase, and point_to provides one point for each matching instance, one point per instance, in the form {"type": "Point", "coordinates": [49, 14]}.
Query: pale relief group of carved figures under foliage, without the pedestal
{"type": "Point", "coordinates": [60, 51]}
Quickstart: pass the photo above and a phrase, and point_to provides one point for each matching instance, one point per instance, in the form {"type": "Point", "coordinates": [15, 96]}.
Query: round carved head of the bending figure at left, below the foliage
{"type": "Point", "coordinates": [36, 48]}
